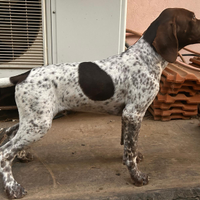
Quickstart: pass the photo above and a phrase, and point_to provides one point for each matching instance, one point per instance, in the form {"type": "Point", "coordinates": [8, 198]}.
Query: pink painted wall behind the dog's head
{"type": "Point", "coordinates": [141, 13]}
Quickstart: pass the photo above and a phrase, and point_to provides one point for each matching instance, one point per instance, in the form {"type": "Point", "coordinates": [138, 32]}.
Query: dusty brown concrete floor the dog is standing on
{"type": "Point", "coordinates": [81, 158]}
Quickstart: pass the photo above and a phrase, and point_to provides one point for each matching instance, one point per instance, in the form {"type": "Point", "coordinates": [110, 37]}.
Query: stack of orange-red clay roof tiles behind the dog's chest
{"type": "Point", "coordinates": [179, 95]}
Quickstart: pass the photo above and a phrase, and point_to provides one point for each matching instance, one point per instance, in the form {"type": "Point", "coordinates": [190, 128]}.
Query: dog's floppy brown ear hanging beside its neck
{"type": "Point", "coordinates": [166, 42]}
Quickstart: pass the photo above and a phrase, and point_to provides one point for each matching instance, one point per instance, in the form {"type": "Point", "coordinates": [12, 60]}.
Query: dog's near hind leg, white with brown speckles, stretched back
{"type": "Point", "coordinates": [30, 130]}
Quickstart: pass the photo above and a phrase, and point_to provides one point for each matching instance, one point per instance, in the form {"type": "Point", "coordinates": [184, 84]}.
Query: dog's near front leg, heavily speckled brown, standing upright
{"type": "Point", "coordinates": [131, 123]}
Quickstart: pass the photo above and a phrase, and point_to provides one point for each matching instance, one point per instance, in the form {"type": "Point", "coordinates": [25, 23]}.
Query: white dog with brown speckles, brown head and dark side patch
{"type": "Point", "coordinates": [124, 84]}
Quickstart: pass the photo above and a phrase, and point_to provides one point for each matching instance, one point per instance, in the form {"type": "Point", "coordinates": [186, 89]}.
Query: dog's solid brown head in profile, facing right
{"type": "Point", "coordinates": [171, 31]}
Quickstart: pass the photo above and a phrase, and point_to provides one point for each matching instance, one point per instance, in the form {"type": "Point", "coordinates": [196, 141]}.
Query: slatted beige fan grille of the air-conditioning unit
{"type": "Point", "coordinates": [21, 38]}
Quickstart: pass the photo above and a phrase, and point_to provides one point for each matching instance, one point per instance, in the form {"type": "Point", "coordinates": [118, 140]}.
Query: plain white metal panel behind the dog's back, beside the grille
{"type": "Point", "coordinates": [87, 30]}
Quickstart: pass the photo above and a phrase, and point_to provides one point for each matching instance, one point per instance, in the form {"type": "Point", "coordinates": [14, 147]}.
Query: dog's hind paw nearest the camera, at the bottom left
{"type": "Point", "coordinates": [15, 191]}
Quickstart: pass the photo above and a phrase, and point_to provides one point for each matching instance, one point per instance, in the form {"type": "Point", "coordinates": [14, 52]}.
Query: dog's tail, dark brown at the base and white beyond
{"type": "Point", "coordinates": [14, 80]}
